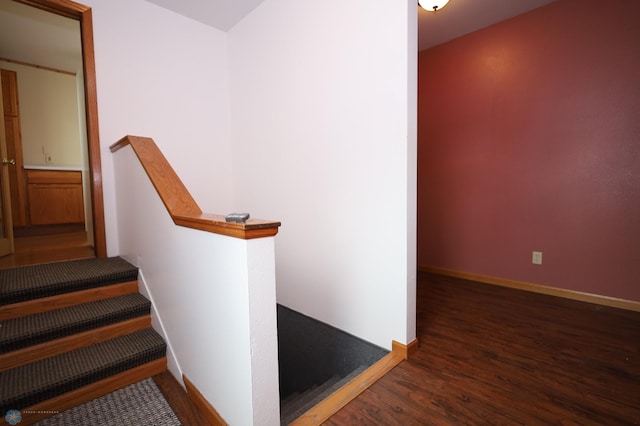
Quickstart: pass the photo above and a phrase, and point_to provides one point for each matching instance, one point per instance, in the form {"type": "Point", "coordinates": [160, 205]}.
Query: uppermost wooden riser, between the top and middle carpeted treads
{"type": "Point", "coordinates": [64, 300]}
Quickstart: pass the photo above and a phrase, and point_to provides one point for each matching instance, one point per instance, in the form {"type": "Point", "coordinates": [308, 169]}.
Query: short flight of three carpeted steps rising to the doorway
{"type": "Point", "coordinates": [71, 332]}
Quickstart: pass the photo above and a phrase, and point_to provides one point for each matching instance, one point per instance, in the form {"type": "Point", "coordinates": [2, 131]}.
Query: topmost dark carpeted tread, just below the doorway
{"type": "Point", "coordinates": [35, 281]}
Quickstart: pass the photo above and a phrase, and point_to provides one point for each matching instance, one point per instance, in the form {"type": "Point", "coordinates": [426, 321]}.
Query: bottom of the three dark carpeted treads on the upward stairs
{"type": "Point", "coordinates": [29, 384]}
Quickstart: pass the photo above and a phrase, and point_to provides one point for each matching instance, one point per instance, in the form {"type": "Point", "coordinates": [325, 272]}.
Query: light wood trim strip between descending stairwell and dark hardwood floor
{"type": "Point", "coordinates": [347, 393]}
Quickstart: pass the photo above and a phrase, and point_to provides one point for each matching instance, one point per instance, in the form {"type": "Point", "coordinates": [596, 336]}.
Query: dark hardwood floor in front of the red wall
{"type": "Point", "coordinates": [496, 356]}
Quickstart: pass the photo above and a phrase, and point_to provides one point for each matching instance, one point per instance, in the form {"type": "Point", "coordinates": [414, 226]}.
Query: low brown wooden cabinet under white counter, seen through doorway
{"type": "Point", "coordinates": [54, 197]}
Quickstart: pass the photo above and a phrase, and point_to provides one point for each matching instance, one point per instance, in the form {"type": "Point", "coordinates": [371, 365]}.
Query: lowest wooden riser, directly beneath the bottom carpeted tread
{"type": "Point", "coordinates": [48, 408]}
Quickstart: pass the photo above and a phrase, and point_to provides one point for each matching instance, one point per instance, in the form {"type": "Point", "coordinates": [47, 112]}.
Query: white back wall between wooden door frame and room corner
{"type": "Point", "coordinates": [163, 76]}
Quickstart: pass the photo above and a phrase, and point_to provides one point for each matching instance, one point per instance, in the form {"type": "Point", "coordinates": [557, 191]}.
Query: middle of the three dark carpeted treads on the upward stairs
{"type": "Point", "coordinates": [41, 327]}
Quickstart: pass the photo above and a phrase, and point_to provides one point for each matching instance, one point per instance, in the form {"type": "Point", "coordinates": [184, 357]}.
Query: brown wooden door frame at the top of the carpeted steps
{"type": "Point", "coordinates": [83, 14]}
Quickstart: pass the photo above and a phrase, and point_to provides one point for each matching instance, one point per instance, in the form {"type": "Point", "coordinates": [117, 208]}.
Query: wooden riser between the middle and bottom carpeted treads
{"type": "Point", "coordinates": [68, 343]}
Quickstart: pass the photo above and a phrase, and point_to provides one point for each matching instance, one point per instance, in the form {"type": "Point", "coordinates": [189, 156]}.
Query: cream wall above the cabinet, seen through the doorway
{"type": "Point", "coordinates": [49, 120]}
